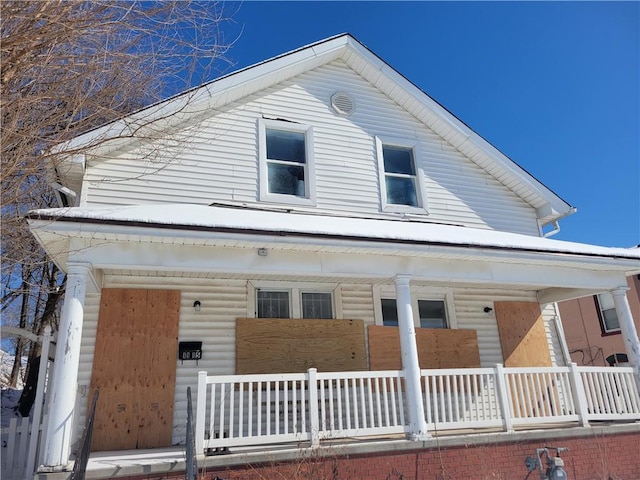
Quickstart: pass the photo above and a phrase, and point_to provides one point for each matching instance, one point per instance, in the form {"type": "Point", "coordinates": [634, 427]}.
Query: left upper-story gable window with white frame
{"type": "Point", "coordinates": [286, 162]}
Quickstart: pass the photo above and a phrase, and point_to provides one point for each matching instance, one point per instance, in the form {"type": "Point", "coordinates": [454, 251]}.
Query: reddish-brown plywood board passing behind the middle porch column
{"type": "Point", "coordinates": [437, 348]}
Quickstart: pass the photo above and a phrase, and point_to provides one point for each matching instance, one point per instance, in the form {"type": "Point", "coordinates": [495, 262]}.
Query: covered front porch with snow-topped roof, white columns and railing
{"type": "Point", "coordinates": [221, 265]}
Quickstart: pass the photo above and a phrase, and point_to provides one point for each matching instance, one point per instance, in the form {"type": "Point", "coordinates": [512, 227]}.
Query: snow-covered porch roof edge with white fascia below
{"type": "Point", "coordinates": [307, 232]}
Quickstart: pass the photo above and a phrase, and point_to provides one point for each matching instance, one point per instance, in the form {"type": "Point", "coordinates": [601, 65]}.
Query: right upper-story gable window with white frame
{"type": "Point", "coordinates": [401, 181]}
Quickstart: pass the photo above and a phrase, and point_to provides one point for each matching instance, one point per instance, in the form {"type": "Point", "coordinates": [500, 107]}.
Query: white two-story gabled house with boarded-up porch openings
{"type": "Point", "coordinates": [339, 253]}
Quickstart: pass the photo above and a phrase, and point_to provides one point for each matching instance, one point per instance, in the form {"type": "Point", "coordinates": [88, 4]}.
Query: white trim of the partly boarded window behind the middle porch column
{"type": "Point", "coordinates": [417, 293]}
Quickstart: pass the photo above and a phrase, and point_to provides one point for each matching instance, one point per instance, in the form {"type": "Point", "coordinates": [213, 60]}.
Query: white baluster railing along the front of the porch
{"type": "Point", "coordinates": [235, 410]}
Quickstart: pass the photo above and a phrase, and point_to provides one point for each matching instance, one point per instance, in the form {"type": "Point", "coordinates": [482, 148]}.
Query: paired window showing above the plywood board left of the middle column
{"type": "Point", "coordinates": [294, 302]}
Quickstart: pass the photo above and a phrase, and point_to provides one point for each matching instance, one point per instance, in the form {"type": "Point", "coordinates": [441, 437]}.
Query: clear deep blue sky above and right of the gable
{"type": "Point", "coordinates": [553, 85]}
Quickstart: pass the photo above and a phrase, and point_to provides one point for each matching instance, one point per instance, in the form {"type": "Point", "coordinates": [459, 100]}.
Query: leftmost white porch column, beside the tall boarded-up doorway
{"type": "Point", "coordinates": [57, 443]}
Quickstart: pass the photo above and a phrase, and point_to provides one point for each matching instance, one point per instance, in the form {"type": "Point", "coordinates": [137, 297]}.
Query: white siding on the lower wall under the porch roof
{"type": "Point", "coordinates": [224, 300]}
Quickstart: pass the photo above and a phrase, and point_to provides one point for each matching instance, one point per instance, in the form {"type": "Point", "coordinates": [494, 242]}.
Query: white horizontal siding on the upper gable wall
{"type": "Point", "coordinates": [220, 160]}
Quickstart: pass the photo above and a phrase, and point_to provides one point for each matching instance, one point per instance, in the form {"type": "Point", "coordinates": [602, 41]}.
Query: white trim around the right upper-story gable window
{"type": "Point", "coordinates": [421, 190]}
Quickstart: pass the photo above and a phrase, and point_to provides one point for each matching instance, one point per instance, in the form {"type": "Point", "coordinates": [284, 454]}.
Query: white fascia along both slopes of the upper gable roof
{"type": "Point", "coordinates": [234, 86]}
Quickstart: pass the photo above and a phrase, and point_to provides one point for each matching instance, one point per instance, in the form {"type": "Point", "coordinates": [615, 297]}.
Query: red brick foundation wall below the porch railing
{"type": "Point", "coordinates": [610, 457]}
